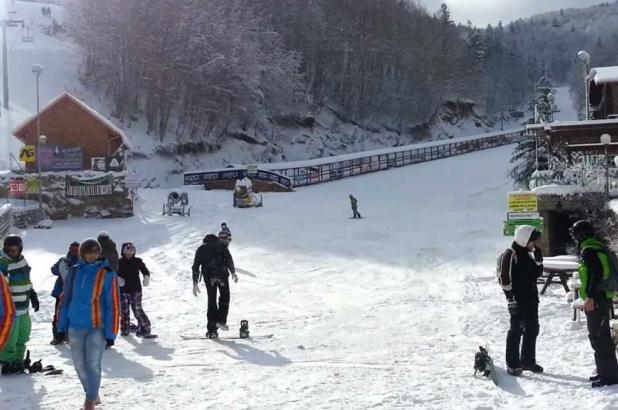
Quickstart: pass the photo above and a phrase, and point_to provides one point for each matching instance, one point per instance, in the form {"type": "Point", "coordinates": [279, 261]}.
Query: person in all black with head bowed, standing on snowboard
{"type": "Point", "coordinates": [214, 262]}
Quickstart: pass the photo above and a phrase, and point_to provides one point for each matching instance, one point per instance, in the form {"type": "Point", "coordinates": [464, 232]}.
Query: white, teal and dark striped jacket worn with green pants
{"type": "Point", "coordinates": [17, 271]}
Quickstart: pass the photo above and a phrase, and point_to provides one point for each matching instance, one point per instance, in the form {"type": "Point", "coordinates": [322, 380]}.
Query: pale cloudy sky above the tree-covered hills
{"type": "Point", "coordinates": [483, 12]}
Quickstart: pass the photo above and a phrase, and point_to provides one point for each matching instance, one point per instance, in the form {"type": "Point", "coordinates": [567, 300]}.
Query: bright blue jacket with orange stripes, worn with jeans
{"type": "Point", "coordinates": [91, 299]}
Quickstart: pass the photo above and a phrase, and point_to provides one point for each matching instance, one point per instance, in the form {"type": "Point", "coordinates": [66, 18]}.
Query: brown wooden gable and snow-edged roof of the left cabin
{"type": "Point", "coordinates": [69, 122]}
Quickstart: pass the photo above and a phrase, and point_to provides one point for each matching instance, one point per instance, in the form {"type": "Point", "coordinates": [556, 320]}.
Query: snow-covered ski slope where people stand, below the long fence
{"type": "Point", "coordinates": [385, 312]}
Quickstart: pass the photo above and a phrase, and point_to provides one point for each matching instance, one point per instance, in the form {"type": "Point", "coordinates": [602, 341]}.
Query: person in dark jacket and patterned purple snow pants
{"type": "Point", "coordinates": [129, 268]}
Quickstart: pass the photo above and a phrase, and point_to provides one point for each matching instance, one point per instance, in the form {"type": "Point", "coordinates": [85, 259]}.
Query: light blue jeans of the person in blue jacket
{"type": "Point", "coordinates": [87, 347]}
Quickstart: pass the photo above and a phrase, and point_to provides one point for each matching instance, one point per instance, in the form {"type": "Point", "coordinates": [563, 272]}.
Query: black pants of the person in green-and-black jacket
{"type": "Point", "coordinates": [601, 340]}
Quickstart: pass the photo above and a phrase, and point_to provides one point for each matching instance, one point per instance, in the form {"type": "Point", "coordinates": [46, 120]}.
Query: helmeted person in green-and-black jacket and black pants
{"type": "Point", "coordinates": [593, 269]}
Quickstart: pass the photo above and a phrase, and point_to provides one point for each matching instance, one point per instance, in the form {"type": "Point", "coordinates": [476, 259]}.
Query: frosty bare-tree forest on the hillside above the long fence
{"type": "Point", "coordinates": [195, 68]}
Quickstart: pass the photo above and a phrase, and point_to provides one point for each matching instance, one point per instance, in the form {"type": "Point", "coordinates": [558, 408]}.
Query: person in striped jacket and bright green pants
{"type": "Point", "coordinates": [15, 268]}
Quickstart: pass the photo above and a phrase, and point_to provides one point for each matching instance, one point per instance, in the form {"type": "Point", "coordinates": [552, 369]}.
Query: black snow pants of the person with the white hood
{"type": "Point", "coordinates": [524, 330]}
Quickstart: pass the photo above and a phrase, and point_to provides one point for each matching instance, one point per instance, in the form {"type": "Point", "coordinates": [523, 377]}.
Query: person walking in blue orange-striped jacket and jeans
{"type": "Point", "coordinates": [90, 311]}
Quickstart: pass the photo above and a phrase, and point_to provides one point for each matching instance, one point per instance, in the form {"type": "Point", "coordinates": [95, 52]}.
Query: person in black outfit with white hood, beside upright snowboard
{"type": "Point", "coordinates": [520, 267]}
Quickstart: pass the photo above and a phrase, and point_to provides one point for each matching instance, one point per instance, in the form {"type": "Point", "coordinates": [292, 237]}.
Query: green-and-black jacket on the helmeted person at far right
{"type": "Point", "coordinates": [594, 267]}
